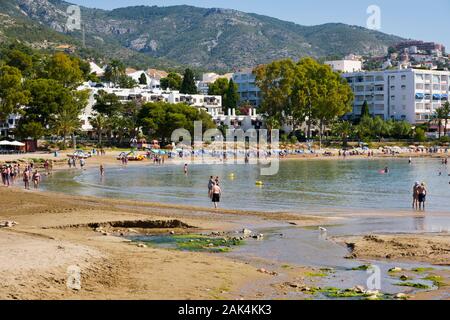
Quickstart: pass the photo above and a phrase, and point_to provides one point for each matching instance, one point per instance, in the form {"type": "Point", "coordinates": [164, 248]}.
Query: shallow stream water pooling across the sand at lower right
{"type": "Point", "coordinates": [309, 247]}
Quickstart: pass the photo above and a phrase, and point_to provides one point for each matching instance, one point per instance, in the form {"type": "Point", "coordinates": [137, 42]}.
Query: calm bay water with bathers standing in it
{"type": "Point", "coordinates": [306, 186]}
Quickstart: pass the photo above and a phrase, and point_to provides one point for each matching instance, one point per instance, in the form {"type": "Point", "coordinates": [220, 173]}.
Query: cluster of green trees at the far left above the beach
{"type": "Point", "coordinates": [47, 86]}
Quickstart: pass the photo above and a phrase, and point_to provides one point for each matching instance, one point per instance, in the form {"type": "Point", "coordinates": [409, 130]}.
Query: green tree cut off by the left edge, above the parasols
{"type": "Point", "coordinates": [12, 92]}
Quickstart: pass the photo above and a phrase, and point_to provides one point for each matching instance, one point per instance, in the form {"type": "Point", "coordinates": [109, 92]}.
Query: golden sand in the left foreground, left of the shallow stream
{"type": "Point", "coordinates": [52, 234]}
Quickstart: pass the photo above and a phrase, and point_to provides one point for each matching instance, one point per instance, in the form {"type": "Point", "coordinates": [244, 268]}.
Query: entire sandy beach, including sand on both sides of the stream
{"type": "Point", "coordinates": [56, 231]}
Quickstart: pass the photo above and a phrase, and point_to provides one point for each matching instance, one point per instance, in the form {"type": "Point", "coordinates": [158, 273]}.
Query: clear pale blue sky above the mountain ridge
{"type": "Point", "coordinates": [418, 19]}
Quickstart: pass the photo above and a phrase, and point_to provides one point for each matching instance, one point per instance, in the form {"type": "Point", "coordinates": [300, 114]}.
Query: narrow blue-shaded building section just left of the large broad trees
{"type": "Point", "coordinates": [247, 89]}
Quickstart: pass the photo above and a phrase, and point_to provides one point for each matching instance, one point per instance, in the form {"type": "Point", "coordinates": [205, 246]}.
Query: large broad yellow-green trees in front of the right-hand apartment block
{"type": "Point", "coordinates": [304, 92]}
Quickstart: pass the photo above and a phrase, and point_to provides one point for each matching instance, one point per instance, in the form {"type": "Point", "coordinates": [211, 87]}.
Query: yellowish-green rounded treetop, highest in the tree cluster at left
{"type": "Point", "coordinates": [65, 70]}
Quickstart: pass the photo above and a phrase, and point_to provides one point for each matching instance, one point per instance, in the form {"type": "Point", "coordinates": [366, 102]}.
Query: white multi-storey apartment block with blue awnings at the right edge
{"type": "Point", "coordinates": [405, 94]}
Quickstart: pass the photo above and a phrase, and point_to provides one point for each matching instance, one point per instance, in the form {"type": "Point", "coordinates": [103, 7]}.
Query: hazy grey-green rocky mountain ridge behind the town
{"type": "Point", "coordinates": [209, 38]}
